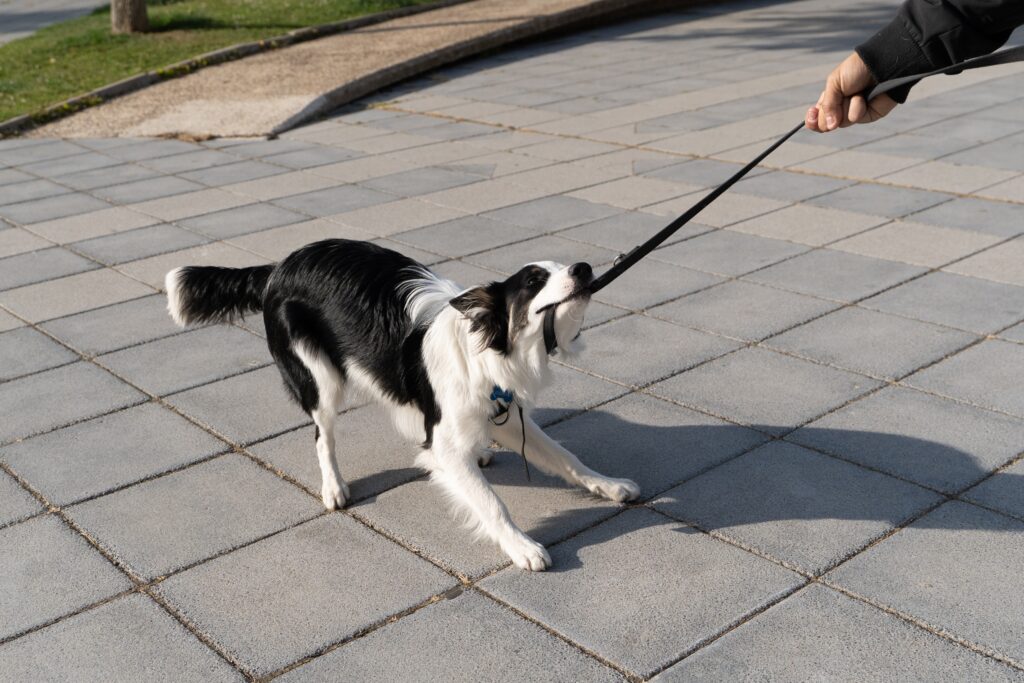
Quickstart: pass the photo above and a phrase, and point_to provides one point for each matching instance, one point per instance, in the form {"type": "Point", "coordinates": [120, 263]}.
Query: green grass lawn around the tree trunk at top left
{"type": "Point", "coordinates": [78, 56]}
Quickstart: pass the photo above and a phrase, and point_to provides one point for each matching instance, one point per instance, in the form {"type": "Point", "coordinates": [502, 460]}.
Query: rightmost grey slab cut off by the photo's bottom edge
{"type": "Point", "coordinates": [851, 642]}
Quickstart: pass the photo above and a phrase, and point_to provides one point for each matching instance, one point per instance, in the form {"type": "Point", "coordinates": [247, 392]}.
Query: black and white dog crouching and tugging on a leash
{"type": "Point", "coordinates": [351, 317]}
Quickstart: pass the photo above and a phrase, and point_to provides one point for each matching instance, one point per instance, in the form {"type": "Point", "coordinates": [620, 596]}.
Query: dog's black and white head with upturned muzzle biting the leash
{"type": "Point", "coordinates": [509, 315]}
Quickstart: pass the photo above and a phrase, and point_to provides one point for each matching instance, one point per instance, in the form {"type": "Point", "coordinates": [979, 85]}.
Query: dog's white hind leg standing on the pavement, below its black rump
{"type": "Point", "coordinates": [324, 412]}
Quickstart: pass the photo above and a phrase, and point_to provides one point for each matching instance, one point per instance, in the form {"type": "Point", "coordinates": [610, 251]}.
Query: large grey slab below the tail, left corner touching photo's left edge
{"type": "Point", "coordinates": [108, 453]}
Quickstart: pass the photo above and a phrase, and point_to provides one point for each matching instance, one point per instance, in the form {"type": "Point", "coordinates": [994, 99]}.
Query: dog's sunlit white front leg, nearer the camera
{"type": "Point", "coordinates": [455, 466]}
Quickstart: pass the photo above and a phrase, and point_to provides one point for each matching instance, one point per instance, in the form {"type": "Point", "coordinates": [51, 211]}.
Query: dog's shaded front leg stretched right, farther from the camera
{"type": "Point", "coordinates": [550, 457]}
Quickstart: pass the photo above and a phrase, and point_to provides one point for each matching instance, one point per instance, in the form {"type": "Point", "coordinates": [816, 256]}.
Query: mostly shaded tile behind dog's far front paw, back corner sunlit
{"type": "Point", "coordinates": [654, 443]}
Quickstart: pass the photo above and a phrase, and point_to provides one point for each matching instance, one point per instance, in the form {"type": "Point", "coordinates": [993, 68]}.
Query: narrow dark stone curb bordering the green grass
{"type": "Point", "coordinates": [20, 124]}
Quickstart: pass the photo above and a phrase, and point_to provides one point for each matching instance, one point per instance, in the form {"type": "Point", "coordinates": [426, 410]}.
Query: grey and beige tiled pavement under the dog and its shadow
{"type": "Point", "coordinates": [820, 386]}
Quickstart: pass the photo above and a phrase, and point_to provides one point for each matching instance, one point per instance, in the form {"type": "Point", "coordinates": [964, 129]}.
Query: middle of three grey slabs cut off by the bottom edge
{"type": "Point", "coordinates": [432, 644]}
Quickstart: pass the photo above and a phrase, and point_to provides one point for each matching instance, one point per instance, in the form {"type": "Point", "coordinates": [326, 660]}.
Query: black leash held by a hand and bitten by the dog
{"type": "Point", "coordinates": [628, 261]}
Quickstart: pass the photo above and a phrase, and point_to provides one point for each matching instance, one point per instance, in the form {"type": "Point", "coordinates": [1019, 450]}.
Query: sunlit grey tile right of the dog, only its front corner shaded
{"type": "Point", "coordinates": [774, 393]}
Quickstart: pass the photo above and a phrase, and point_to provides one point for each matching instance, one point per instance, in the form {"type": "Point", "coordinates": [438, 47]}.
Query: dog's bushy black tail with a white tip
{"type": "Point", "coordinates": [210, 294]}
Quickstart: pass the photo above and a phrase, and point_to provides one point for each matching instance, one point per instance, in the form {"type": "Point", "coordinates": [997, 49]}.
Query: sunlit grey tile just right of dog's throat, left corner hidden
{"type": "Point", "coordinates": [613, 351]}
